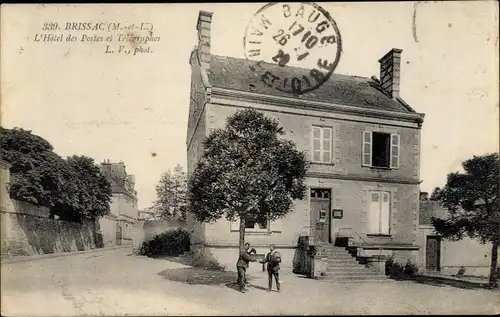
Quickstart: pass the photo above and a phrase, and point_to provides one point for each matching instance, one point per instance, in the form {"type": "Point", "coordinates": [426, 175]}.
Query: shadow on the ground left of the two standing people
{"type": "Point", "coordinates": [201, 276]}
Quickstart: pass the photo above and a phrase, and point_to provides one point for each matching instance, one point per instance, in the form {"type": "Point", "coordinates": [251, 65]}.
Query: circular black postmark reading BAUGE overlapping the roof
{"type": "Point", "coordinates": [301, 35]}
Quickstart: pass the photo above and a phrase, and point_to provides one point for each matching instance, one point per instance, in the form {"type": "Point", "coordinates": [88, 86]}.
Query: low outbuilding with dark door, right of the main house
{"type": "Point", "coordinates": [440, 255]}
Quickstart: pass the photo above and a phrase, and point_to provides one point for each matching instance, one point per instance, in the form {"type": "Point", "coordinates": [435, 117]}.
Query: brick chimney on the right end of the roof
{"type": "Point", "coordinates": [390, 66]}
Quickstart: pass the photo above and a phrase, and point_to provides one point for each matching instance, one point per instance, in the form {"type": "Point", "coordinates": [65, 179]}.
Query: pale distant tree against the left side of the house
{"type": "Point", "coordinates": [171, 193]}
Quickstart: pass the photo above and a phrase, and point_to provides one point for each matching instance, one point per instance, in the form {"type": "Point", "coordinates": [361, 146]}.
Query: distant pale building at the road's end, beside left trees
{"type": "Point", "coordinates": [117, 227]}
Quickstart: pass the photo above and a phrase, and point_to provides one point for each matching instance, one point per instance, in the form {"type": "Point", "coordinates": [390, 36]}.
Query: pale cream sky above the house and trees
{"type": "Point", "coordinates": [134, 109]}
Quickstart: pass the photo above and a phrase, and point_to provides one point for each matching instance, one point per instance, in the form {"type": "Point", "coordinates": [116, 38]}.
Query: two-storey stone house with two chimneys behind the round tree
{"type": "Point", "coordinates": [363, 142]}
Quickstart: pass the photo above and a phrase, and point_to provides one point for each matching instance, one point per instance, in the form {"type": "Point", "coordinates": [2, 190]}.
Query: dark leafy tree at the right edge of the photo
{"type": "Point", "coordinates": [472, 200]}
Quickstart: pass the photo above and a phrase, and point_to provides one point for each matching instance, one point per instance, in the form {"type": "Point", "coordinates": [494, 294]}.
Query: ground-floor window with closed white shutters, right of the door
{"type": "Point", "coordinates": [379, 213]}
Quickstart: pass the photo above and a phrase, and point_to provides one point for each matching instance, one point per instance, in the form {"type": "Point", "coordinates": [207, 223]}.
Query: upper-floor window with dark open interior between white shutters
{"type": "Point", "coordinates": [380, 149]}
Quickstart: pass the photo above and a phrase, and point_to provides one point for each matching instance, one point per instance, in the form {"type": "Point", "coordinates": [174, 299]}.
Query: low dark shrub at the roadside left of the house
{"type": "Point", "coordinates": [170, 243]}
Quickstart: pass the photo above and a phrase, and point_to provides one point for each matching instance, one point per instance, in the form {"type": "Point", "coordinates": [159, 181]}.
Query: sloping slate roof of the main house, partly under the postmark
{"type": "Point", "coordinates": [235, 73]}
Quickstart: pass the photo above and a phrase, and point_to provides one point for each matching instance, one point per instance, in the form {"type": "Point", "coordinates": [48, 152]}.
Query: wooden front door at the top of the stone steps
{"type": "Point", "coordinates": [321, 213]}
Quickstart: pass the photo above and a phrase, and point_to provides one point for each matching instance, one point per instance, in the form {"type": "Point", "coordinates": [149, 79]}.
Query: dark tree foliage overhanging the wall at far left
{"type": "Point", "coordinates": [72, 188]}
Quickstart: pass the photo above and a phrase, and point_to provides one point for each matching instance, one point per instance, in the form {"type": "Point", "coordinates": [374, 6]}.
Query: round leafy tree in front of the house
{"type": "Point", "coordinates": [247, 169]}
